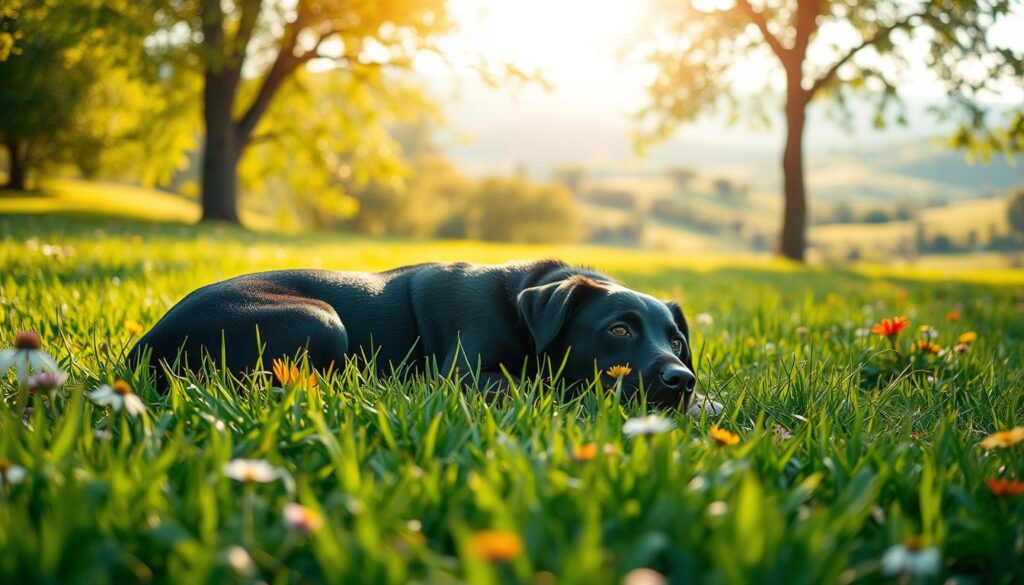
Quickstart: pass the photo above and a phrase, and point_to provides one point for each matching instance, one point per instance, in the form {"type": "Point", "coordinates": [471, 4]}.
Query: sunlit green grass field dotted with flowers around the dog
{"type": "Point", "coordinates": [851, 451]}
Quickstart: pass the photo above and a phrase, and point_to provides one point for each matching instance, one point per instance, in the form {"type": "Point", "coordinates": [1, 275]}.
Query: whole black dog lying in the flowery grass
{"type": "Point", "coordinates": [477, 318]}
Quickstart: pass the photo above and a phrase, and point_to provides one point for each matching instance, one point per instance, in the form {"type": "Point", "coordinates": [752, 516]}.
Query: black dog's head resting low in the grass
{"type": "Point", "coordinates": [602, 324]}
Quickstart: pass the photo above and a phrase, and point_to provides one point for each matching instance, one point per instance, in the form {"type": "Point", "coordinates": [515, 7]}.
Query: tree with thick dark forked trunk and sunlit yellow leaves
{"type": "Point", "coordinates": [248, 50]}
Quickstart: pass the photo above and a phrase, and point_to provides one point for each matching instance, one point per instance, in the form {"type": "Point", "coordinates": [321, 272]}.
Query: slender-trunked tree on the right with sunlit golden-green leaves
{"type": "Point", "coordinates": [703, 46]}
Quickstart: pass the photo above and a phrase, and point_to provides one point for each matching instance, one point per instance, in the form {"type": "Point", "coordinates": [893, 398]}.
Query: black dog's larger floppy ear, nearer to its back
{"type": "Point", "coordinates": [546, 309]}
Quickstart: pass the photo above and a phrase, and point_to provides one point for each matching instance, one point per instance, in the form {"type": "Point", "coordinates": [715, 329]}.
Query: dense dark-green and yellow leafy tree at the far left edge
{"type": "Point", "coordinates": [75, 89]}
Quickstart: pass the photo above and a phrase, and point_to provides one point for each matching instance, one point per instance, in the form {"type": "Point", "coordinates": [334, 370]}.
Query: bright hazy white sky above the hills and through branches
{"type": "Point", "coordinates": [583, 51]}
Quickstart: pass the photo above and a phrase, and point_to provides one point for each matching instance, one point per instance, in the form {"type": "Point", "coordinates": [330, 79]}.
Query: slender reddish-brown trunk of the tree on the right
{"type": "Point", "coordinates": [794, 240]}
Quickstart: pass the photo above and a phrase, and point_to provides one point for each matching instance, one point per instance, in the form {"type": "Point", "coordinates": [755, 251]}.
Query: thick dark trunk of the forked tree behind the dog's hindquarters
{"type": "Point", "coordinates": [221, 155]}
